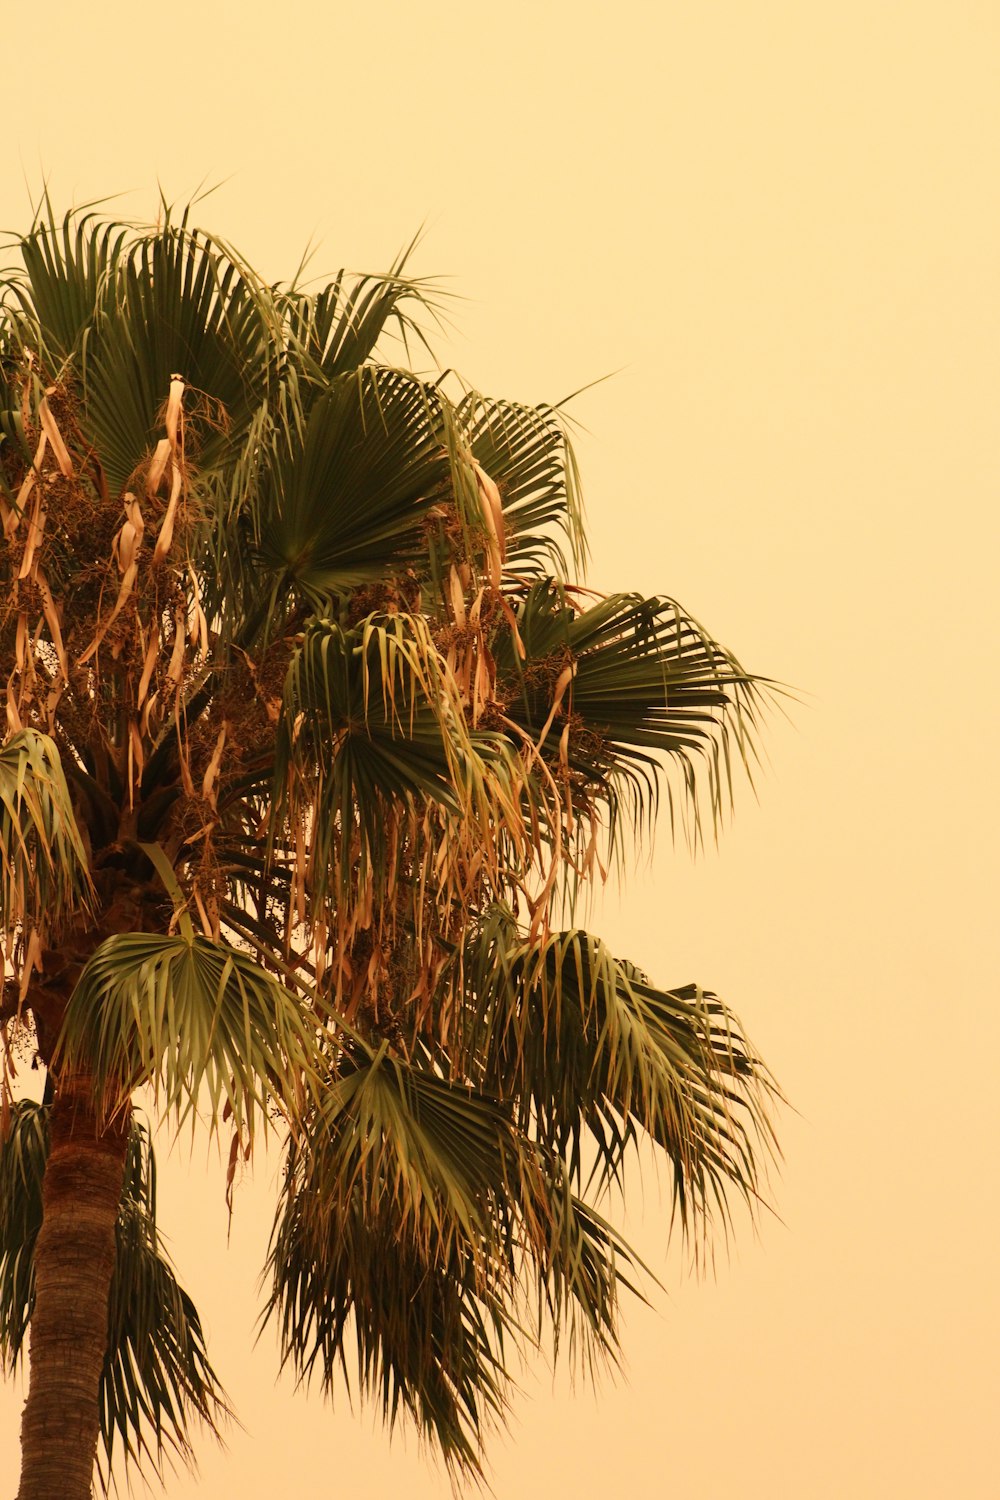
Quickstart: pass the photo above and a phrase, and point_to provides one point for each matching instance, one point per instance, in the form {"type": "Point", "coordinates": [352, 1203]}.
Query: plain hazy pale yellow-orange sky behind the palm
{"type": "Point", "coordinates": [780, 224]}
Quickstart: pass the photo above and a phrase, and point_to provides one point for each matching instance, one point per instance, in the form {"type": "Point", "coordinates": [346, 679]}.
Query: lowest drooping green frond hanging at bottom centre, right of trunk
{"type": "Point", "coordinates": [389, 1226]}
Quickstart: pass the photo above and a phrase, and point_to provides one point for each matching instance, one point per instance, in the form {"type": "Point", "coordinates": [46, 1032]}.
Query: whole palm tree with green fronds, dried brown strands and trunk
{"type": "Point", "coordinates": [311, 745]}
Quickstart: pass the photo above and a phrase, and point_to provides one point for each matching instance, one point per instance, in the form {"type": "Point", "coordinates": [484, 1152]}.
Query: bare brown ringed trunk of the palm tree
{"type": "Point", "coordinates": [74, 1264]}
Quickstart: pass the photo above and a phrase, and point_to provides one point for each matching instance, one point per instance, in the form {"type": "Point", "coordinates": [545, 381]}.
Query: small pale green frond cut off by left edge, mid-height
{"type": "Point", "coordinates": [43, 859]}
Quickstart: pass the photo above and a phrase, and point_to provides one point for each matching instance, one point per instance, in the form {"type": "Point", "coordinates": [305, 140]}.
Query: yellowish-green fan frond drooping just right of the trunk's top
{"type": "Point", "coordinates": [194, 1019]}
